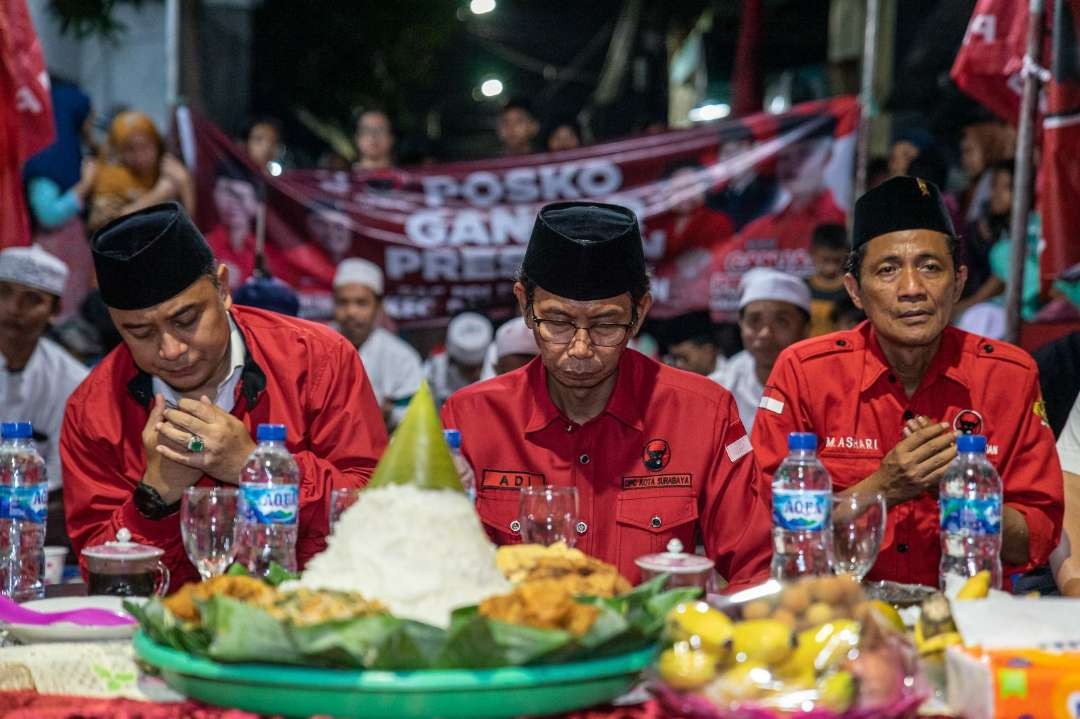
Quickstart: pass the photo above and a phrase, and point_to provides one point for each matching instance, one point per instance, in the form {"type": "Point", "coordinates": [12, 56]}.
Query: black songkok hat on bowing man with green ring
{"type": "Point", "coordinates": [150, 256]}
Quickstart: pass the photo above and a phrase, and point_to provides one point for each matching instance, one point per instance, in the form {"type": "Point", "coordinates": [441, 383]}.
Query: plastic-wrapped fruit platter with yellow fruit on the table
{"type": "Point", "coordinates": [816, 647]}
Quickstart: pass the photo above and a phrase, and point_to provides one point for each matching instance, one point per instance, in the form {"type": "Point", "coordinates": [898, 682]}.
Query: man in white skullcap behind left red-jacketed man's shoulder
{"type": "Point", "coordinates": [393, 365]}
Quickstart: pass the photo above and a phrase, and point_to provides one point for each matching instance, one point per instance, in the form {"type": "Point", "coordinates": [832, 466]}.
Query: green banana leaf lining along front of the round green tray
{"type": "Point", "coordinates": [234, 631]}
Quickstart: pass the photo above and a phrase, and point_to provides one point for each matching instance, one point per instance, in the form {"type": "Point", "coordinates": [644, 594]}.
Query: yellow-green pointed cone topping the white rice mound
{"type": "Point", "coordinates": [418, 454]}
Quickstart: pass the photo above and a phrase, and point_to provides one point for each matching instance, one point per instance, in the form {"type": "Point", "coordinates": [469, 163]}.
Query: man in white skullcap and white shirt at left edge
{"type": "Point", "coordinates": [37, 375]}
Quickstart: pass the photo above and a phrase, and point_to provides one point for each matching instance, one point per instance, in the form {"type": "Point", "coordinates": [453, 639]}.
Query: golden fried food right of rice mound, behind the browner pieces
{"type": "Point", "coordinates": [579, 574]}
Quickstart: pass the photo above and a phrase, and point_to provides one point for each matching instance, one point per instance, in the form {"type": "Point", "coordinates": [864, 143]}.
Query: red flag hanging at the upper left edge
{"type": "Point", "coordinates": [26, 115]}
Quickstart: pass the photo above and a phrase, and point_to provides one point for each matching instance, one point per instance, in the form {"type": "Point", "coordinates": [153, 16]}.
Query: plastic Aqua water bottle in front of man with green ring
{"type": "Point", "coordinates": [269, 505]}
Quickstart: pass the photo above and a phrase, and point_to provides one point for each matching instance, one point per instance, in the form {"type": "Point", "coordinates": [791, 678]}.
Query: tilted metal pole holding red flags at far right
{"type": "Point", "coordinates": [1022, 181]}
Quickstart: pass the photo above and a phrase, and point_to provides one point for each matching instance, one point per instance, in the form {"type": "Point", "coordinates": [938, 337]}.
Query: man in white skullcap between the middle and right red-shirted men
{"type": "Point", "coordinates": [774, 313]}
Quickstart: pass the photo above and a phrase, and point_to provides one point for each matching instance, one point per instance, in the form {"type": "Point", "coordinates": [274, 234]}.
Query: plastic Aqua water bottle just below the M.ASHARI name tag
{"type": "Point", "coordinates": [802, 512]}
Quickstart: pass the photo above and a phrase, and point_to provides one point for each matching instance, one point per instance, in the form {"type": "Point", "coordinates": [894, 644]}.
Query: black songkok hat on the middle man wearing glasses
{"type": "Point", "coordinates": [586, 251]}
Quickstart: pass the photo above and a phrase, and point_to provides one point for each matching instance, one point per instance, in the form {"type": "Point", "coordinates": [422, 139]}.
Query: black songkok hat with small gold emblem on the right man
{"type": "Point", "coordinates": [900, 204]}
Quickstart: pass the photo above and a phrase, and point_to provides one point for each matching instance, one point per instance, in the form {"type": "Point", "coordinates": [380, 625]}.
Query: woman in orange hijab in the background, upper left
{"type": "Point", "coordinates": [138, 172]}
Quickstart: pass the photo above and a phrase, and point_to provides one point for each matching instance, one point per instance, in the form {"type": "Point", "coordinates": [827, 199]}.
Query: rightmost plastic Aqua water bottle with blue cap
{"type": "Point", "coordinates": [970, 499]}
